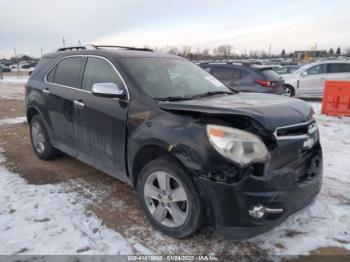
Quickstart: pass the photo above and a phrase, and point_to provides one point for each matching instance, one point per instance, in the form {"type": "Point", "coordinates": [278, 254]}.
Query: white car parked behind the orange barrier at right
{"type": "Point", "coordinates": [309, 80]}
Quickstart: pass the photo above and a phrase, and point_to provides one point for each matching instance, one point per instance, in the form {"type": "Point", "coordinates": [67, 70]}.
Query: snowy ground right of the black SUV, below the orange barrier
{"type": "Point", "coordinates": [327, 221]}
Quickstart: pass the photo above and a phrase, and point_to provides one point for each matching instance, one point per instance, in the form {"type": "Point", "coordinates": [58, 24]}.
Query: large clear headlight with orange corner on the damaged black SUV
{"type": "Point", "coordinates": [239, 146]}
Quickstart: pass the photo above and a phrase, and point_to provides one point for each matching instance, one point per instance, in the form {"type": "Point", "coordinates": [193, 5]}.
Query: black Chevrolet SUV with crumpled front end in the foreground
{"type": "Point", "coordinates": [195, 151]}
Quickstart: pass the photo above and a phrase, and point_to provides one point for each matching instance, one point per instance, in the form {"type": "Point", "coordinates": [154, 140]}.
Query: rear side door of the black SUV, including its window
{"type": "Point", "coordinates": [61, 84]}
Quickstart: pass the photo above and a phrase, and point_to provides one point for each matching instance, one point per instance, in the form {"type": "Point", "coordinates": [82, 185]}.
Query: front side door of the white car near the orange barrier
{"type": "Point", "coordinates": [313, 82]}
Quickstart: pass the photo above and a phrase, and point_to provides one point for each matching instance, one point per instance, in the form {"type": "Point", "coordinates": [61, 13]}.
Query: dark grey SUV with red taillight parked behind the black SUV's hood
{"type": "Point", "coordinates": [247, 78]}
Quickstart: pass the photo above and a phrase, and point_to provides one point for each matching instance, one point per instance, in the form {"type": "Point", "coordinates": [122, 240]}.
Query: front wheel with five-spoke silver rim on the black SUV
{"type": "Point", "coordinates": [177, 217]}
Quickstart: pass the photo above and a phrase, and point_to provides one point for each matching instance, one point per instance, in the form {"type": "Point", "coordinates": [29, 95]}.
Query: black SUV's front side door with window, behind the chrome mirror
{"type": "Point", "coordinates": [100, 123]}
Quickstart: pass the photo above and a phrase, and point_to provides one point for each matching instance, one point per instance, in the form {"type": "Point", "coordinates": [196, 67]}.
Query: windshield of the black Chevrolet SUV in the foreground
{"type": "Point", "coordinates": [171, 77]}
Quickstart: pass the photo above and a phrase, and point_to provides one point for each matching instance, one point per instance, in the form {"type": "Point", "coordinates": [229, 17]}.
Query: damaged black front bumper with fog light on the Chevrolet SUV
{"type": "Point", "coordinates": [278, 192]}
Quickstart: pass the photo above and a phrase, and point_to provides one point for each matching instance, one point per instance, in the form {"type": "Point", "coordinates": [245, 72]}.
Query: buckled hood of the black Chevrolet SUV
{"type": "Point", "coordinates": [271, 111]}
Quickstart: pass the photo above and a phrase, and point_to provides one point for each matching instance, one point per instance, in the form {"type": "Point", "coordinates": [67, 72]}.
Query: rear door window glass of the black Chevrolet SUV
{"type": "Point", "coordinates": [67, 71]}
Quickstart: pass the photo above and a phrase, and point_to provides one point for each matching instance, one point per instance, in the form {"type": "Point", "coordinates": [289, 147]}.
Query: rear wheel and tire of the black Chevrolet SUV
{"type": "Point", "coordinates": [40, 140]}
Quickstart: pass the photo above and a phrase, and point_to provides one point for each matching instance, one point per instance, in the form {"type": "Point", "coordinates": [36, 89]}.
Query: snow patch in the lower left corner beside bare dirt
{"type": "Point", "coordinates": [45, 219]}
